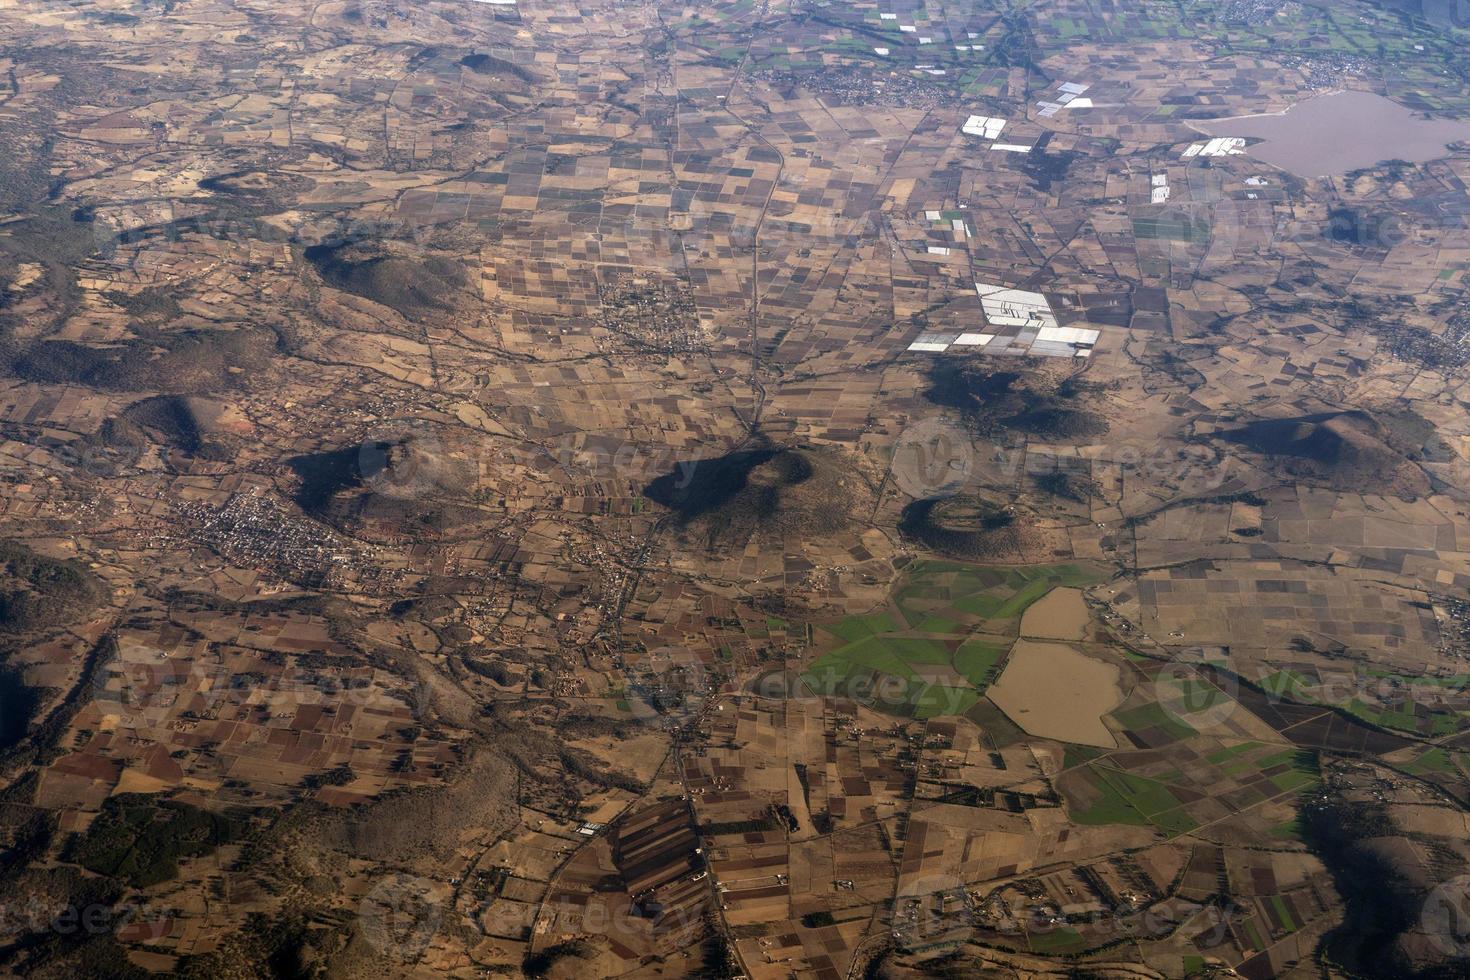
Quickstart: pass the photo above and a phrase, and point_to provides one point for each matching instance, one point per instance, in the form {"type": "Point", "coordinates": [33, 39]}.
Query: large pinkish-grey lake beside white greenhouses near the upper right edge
{"type": "Point", "coordinates": [1334, 134]}
